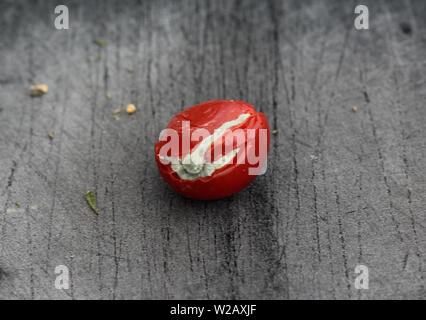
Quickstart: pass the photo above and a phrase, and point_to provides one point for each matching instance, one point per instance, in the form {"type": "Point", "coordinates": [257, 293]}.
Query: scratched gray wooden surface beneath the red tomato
{"type": "Point", "coordinates": [342, 188]}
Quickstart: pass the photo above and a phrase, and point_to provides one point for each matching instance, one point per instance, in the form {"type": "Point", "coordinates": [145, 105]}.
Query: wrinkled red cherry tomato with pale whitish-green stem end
{"type": "Point", "coordinates": [214, 149]}
